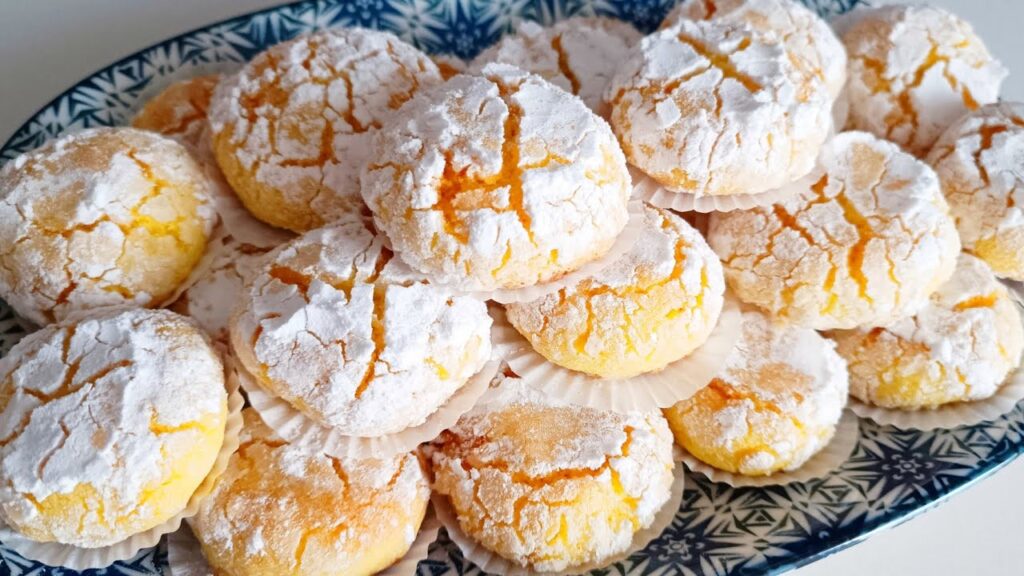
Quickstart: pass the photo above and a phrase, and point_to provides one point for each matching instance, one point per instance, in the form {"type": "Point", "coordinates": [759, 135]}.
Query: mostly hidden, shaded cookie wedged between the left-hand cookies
{"type": "Point", "coordinates": [211, 300]}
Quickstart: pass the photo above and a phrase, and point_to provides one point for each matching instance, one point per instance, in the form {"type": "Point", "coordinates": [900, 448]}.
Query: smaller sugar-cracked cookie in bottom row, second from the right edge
{"type": "Point", "coordinates": [776, 403]}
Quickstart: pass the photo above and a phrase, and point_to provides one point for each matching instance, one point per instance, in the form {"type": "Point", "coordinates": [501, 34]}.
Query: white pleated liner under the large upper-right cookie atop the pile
{"type": "Point", "coordinates": [652, 192]}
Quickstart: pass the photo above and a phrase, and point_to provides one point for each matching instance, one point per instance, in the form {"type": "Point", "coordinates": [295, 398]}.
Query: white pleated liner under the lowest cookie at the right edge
{"type": "Point", "coordinates": [951, 417]}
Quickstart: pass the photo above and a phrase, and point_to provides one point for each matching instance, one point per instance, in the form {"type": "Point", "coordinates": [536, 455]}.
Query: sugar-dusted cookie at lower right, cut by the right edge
{"type": "Point", "coordinates": [960, 348]}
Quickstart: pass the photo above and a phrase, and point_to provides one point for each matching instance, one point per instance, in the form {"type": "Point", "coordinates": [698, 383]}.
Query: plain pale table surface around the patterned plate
{"type": "Point", "coordinates": [47, 46]}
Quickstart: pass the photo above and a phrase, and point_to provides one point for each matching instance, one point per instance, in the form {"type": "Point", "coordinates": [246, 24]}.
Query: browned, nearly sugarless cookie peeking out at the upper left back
{"type": "Point", "coordinates": [180, 111]}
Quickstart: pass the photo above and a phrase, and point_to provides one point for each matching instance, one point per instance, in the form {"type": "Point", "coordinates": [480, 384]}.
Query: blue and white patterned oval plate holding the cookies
{"type": "Point", "coordinates": [891, 476]}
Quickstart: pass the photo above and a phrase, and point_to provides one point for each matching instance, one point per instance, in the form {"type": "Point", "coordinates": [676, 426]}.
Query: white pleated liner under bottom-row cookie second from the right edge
{"type": "Point", "coordinates": [828, 460]}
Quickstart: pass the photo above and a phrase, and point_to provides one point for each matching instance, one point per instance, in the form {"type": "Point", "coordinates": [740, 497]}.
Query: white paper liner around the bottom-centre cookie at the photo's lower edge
{"type": "Point", "coordinates": [493, 564]}
